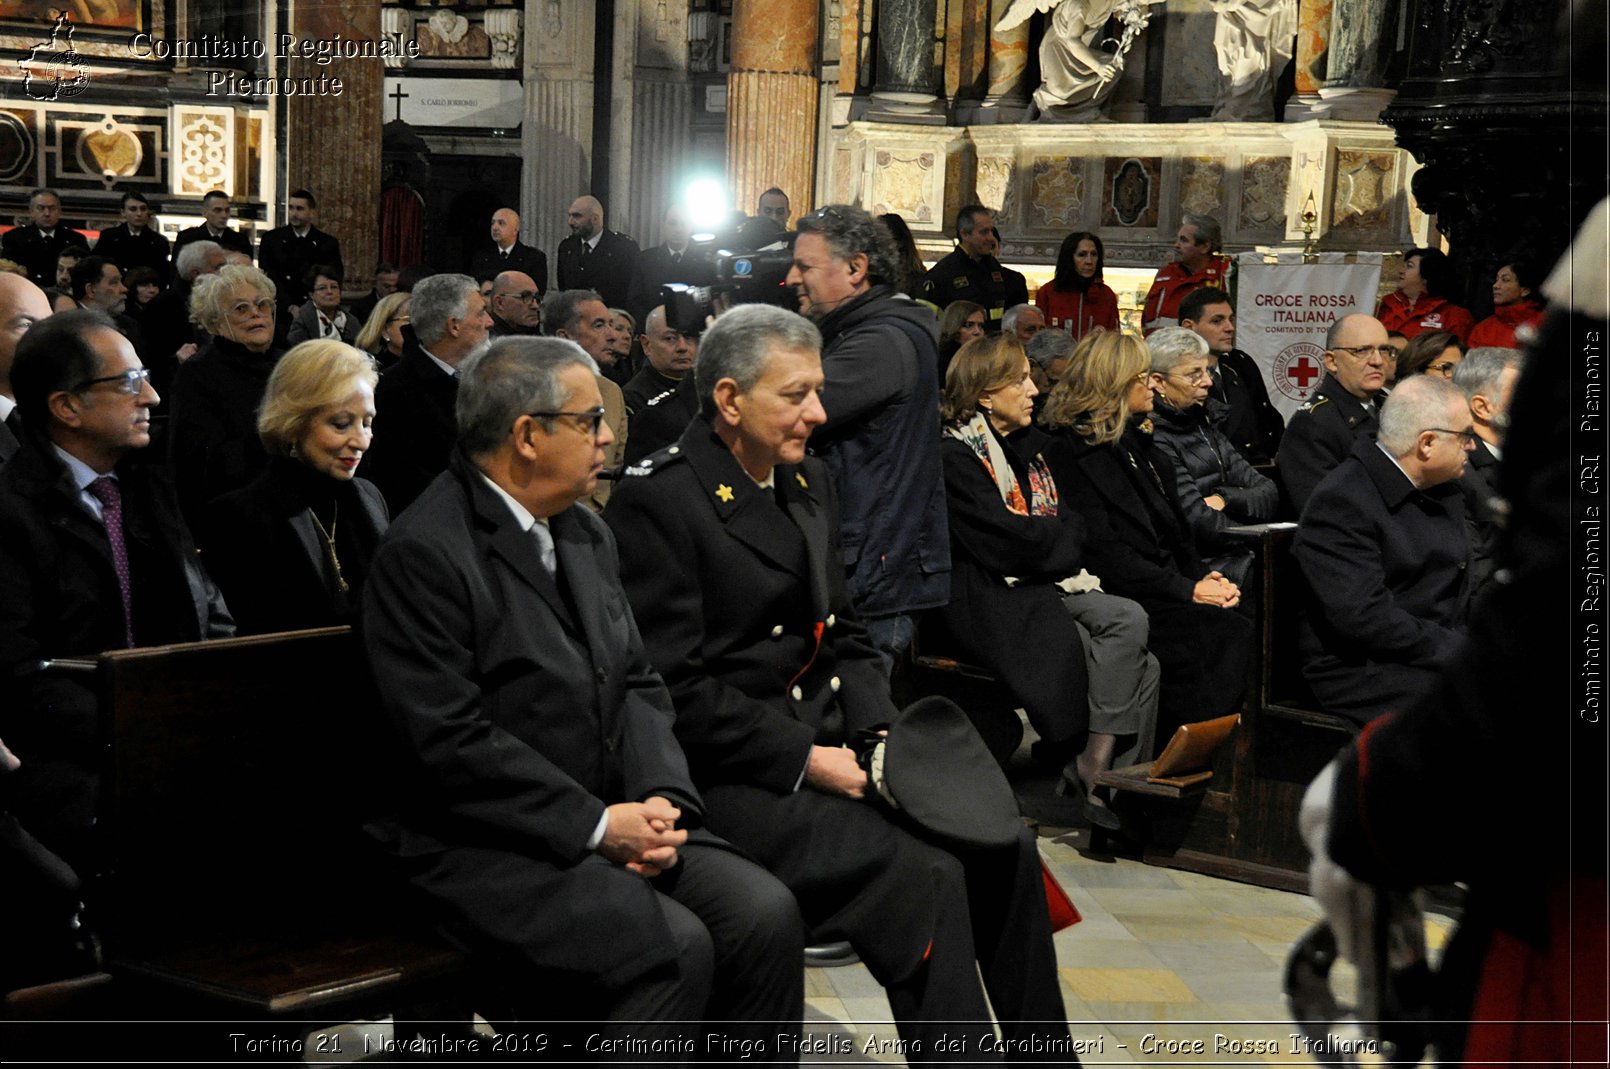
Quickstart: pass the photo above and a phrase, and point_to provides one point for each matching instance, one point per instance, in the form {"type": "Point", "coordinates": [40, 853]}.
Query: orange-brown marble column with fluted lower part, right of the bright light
{"type": "Point", "coordinates": [772, 102]}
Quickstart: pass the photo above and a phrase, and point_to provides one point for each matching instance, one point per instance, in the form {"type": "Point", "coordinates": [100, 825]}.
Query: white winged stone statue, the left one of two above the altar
{"type": "Point", "coordinates": [1078, 78]}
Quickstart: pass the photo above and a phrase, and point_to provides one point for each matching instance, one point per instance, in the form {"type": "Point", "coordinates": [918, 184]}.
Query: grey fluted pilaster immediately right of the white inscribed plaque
{"type": "Point", "coordinates": [556, 138]}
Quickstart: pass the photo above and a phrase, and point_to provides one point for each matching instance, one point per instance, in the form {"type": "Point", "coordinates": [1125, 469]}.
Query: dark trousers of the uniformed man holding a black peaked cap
{"type": "Point", "coordinates": [925, 918]}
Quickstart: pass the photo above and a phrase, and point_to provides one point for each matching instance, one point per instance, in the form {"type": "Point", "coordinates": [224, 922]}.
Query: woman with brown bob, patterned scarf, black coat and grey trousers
{"type": "Point", "coordinates": [1020, 600]}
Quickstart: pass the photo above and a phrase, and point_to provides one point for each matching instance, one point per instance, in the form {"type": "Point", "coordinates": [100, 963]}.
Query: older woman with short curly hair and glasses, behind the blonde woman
{"type": "Point", "coordinates": [213, 413]}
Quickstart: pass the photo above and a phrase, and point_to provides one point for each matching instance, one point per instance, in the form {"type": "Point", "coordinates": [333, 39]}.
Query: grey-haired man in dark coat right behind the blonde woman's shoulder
{"type": "Point", "coordinates": [415, 423]}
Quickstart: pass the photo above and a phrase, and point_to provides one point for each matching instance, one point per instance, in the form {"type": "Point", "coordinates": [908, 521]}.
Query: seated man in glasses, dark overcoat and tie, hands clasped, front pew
{"type": "Point", "coordinates": [547, 804]}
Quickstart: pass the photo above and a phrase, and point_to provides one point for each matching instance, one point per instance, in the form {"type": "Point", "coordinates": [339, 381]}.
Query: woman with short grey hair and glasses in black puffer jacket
{"type": "Point", "coordinates": [1218, 489]}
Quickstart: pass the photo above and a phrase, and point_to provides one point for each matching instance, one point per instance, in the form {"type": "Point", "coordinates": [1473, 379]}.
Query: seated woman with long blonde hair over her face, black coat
{"type": "Point", "coordinates": [1137, 540]}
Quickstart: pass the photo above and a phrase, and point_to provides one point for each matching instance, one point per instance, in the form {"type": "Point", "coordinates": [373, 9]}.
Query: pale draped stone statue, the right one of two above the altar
{"type": "Point", "coordinates": [1255, 41]}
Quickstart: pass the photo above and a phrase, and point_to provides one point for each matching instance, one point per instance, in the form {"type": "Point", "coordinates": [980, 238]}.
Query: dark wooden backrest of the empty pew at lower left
{"type": "Point", "coordinates": [234, 782]}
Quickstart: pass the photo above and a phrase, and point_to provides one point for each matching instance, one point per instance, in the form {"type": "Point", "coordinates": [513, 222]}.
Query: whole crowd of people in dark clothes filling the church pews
{"type": "Point", "coordinates": [1089, 484]}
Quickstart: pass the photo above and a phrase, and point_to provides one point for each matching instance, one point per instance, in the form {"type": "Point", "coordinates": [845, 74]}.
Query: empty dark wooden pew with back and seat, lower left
{"type": "Point", "coordinates": [237, 883]}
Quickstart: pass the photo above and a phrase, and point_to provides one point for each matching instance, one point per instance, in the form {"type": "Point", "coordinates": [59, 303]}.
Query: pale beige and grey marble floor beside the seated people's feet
{"type": "Point", "coordinates": [1166, 968]}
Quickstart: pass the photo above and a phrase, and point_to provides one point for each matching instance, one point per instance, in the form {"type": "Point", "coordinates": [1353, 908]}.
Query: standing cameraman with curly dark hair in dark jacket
{"type": "Point", "coordinates": [881, 439]}
